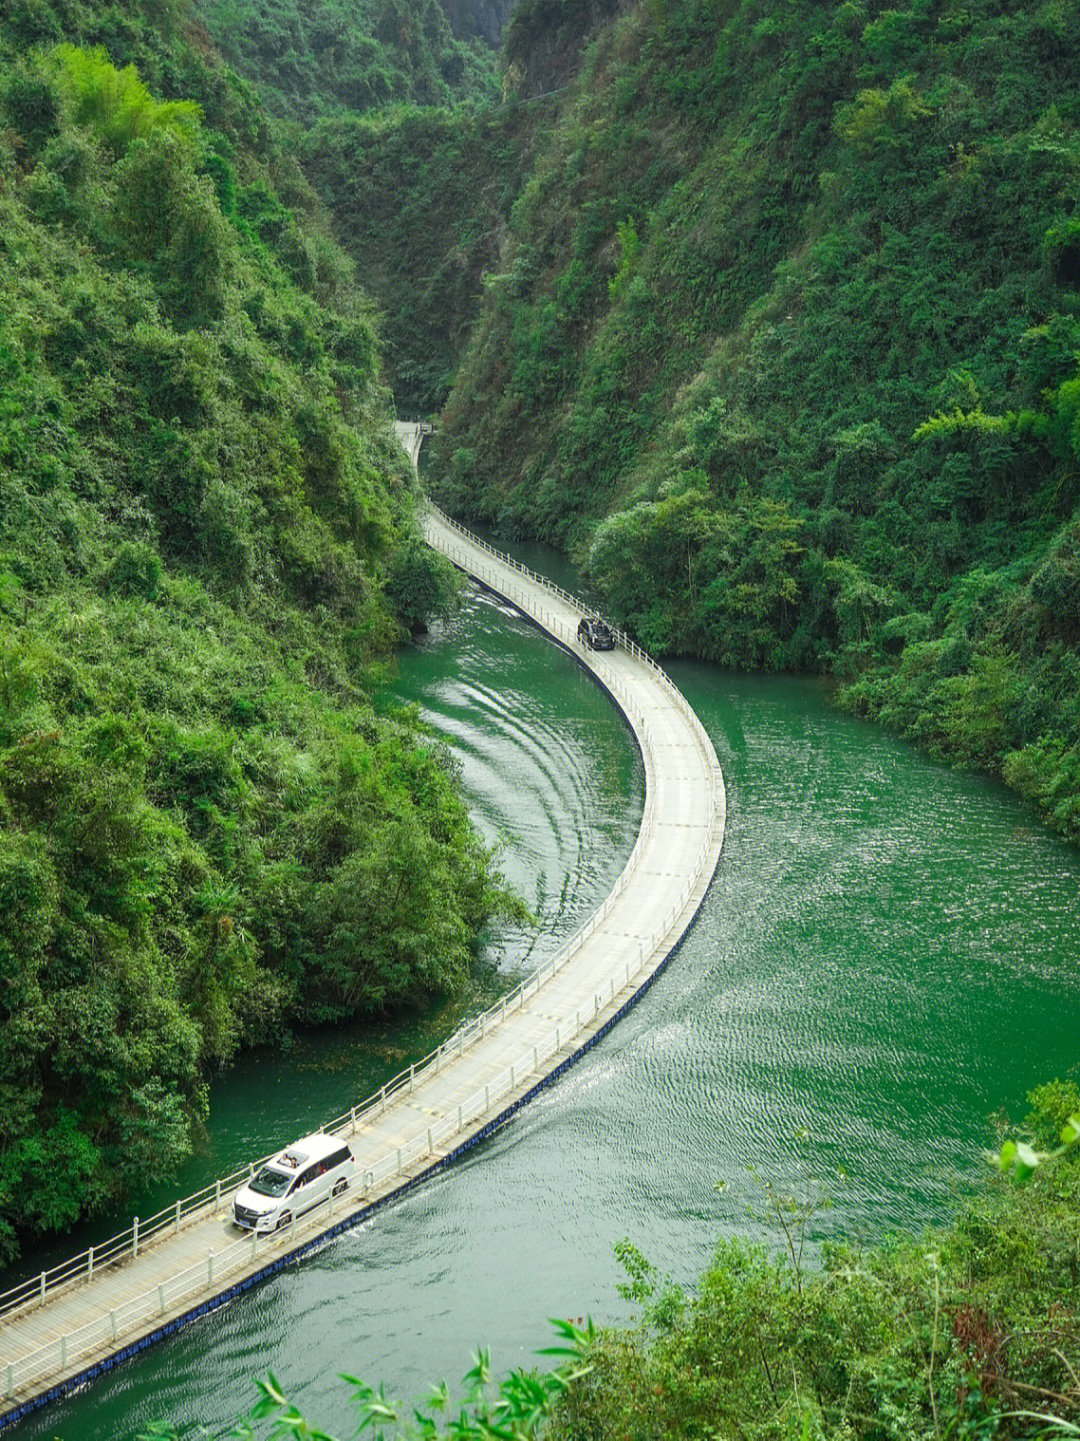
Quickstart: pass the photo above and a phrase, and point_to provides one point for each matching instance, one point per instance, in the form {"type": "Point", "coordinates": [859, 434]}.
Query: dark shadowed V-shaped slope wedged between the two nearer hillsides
{"type": "Point", "coordinates": [422, 197]}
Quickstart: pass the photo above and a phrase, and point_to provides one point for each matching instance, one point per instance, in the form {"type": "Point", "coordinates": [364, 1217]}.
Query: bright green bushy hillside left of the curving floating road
{"type": "Point", "coordinates": [207, 554]}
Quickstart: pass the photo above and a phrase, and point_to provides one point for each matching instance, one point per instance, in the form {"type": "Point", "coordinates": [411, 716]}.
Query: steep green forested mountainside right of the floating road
{"type": "Point", "coordinates": [784, 347]}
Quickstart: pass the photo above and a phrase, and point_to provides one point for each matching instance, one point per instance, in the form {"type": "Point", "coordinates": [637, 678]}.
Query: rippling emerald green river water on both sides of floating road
{"type": "Point", "coordinates": [888, 956]}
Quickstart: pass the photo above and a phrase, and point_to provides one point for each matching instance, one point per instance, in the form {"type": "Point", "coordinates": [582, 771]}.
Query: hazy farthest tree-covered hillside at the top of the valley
{"type": "Point", "coordinates": [348, 55]}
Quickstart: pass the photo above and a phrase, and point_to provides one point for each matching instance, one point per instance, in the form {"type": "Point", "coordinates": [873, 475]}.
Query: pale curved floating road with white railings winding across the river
{"type": "Point", "coordinates": [107, 1303]}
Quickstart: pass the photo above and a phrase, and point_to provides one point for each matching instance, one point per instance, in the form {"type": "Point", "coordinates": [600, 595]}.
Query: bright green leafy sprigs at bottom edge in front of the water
{"type": "Point", "coordinates": [515, 1411]}
